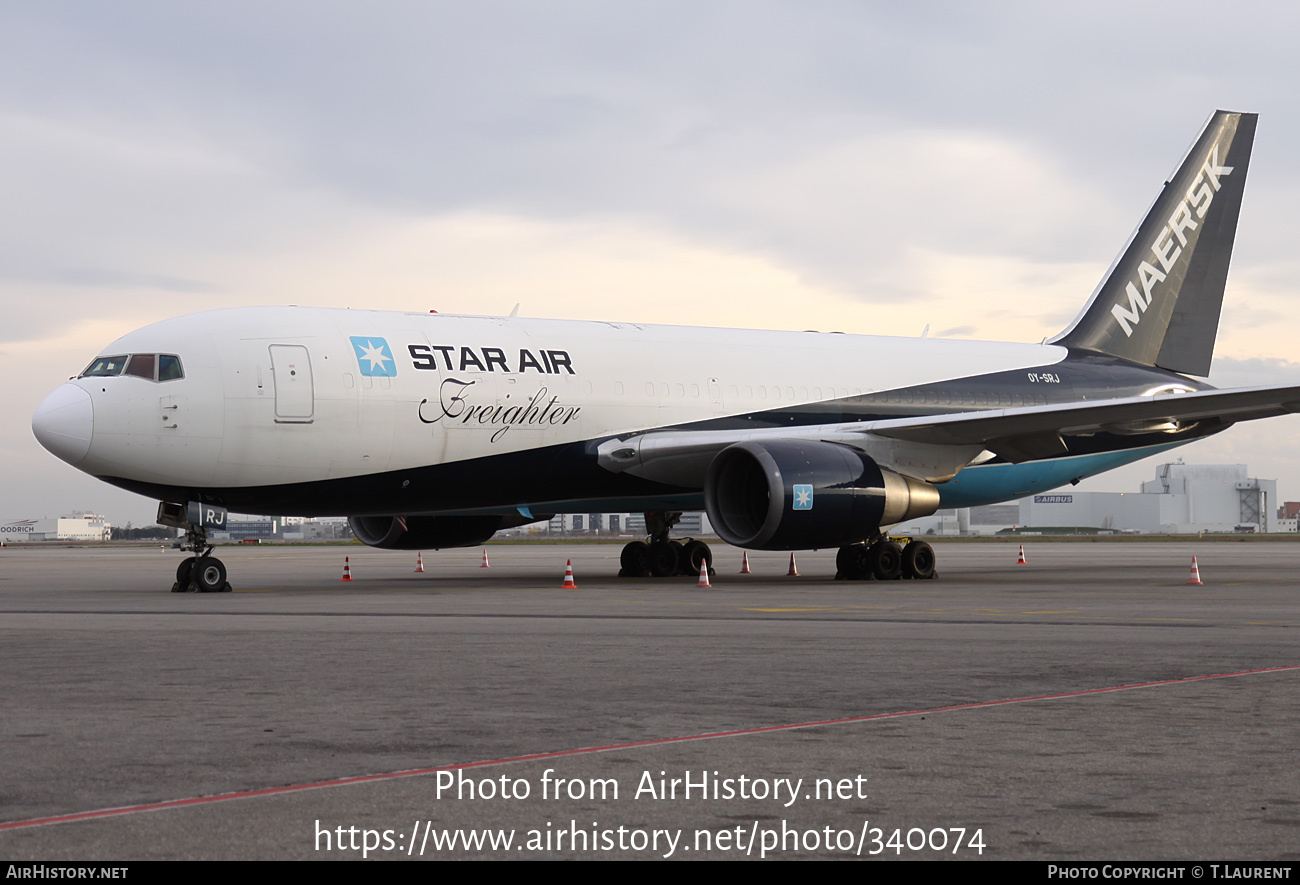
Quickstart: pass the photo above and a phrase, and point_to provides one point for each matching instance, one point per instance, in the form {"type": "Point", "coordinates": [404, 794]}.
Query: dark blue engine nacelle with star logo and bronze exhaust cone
{"type": "Point", "coordinates": [792, 494]}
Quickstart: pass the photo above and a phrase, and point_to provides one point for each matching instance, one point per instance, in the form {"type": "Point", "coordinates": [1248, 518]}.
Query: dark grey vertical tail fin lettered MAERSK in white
{"type": "Point", "coordinates": [1160, 303]}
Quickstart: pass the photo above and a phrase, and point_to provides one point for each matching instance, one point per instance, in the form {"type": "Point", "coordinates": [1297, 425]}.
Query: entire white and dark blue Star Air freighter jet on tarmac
{"type": "Point", "coordinates": [435, 431]}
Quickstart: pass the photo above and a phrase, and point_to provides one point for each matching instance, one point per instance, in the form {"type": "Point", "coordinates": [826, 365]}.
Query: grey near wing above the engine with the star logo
{"type": "Point", "coordinates": [937, 446]}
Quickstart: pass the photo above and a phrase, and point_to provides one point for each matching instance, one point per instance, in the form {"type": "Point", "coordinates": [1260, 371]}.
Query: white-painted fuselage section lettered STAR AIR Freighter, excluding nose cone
{"type": "Point", "coordinates": [291, 396]}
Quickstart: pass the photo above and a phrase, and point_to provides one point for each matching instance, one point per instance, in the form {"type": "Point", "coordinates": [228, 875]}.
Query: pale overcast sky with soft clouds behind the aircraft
{"type": "Point", "coordinates": [864, 167]}
